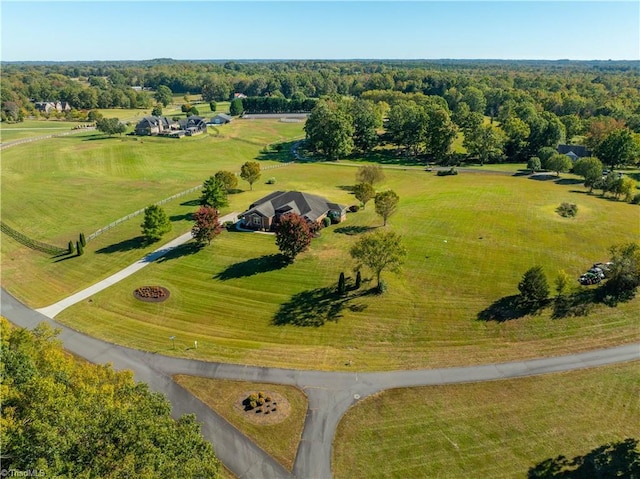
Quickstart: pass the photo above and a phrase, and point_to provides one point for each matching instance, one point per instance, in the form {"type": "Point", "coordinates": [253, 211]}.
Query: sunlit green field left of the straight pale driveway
{"type": "Point", "coordinates": [83, 183]}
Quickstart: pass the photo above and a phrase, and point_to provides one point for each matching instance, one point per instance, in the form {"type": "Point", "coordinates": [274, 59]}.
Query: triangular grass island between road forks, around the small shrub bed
{"type": "Point", "coordinates": [279, 440]}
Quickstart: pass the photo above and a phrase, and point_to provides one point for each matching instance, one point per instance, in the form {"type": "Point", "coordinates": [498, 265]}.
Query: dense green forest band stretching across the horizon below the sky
{"type": "Point", "coordinates": [531, 105]}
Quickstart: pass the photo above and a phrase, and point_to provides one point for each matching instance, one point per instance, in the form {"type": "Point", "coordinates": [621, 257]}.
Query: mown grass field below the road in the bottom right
{"type": "Point", "coordinates": [497, 429]}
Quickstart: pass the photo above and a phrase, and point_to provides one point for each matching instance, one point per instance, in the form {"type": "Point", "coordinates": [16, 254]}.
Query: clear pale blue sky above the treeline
{"type": "Point", "coordinates": [128, 30]}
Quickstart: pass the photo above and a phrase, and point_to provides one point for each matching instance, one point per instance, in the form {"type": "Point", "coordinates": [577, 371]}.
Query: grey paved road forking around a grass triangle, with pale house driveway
{"type": "Point", "coordinates": [330, 394]}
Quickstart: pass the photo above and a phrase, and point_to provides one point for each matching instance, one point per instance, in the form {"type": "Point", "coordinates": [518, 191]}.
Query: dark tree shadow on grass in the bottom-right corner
{"type": "Point", "coordinates": [616, 459]}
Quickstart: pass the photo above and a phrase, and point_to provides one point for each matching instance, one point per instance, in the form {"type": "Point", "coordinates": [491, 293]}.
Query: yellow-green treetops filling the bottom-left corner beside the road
{"type": "Point", "coordinates": [70, 418]}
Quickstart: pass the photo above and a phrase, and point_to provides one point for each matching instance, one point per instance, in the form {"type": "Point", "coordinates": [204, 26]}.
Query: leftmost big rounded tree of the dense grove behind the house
{"type": "Point", "coordinates": [329, 130]}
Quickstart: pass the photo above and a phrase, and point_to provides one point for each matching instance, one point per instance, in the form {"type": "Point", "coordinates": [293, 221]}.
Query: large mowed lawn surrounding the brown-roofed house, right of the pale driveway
{"type": "Point", "coordinates": [470, 238]}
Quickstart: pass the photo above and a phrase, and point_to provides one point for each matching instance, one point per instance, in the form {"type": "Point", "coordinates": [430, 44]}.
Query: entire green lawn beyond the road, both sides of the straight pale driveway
{"type": "Point", "coordinates": [469, 237]}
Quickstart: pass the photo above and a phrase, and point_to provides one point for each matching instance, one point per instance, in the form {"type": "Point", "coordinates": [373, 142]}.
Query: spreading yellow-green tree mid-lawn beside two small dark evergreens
{"type": "Point", "coordinates": [379, 251]}
